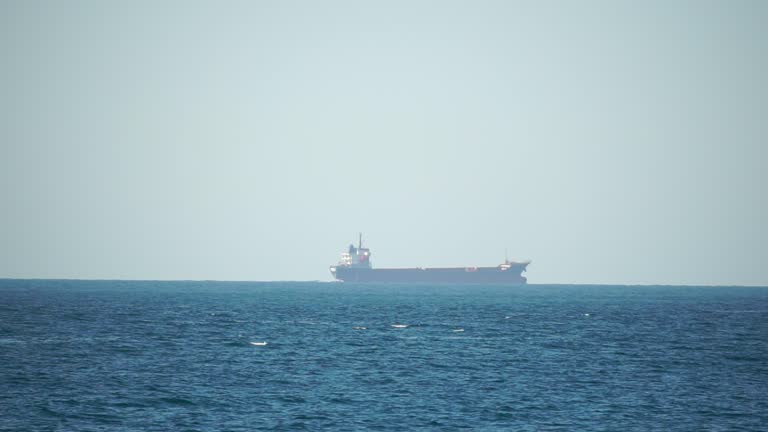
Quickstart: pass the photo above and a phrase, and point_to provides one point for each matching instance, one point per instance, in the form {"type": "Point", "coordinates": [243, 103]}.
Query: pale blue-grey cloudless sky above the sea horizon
{"type": "Point", "coordinates": [610, 142]}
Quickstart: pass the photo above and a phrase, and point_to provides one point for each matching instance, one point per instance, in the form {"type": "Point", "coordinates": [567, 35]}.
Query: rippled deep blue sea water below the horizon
{"type": "Point", "coordinates": [179, 356]}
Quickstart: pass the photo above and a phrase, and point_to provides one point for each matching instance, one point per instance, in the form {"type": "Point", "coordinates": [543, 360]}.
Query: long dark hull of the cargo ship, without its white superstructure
{"type": "Point", "coordinates": [472, 275]}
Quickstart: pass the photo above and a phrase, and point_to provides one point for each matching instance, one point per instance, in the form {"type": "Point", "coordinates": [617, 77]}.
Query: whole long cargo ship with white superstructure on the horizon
{"type": "Point", "coordinates": [355, 266]}
